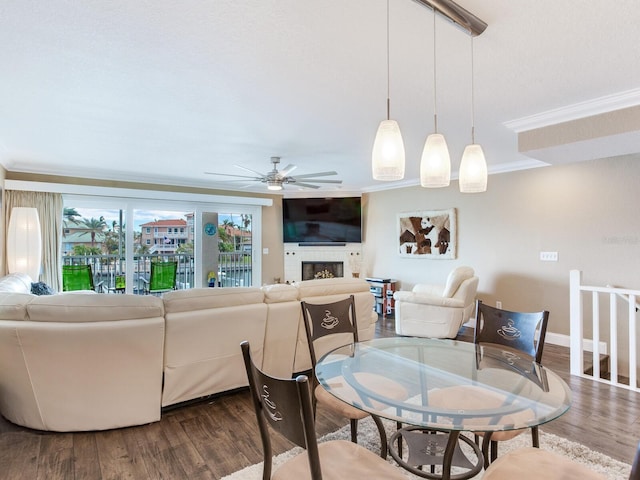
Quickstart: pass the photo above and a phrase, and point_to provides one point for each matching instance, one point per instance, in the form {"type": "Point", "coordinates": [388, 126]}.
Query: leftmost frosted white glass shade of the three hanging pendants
{"type": "Point", "coordinates": [387, 160]}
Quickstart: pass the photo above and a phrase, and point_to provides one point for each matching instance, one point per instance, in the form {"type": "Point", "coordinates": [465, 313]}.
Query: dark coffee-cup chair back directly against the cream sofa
{"type": "Point", "coordinates": [322, 320]}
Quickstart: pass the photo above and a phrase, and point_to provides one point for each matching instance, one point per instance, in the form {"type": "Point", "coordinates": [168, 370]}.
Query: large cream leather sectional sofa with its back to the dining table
{"type": "Point", "coordinates": [87, 361]}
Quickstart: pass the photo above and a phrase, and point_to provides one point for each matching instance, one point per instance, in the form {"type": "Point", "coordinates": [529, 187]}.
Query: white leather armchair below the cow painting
{"type": "Point", "coordinates": [437, 311]}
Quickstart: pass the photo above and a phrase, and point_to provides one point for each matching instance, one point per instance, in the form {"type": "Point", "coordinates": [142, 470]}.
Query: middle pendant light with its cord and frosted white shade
{"type": "Point", "coordinates": [435, 164]}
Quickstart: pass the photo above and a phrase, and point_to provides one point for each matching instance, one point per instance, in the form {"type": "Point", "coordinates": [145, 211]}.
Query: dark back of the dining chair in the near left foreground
{"type": "Point", "coordinates": [285, 405]}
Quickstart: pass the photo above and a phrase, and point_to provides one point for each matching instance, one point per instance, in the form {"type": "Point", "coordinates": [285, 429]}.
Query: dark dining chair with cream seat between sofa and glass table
{"type": "Point", "coordinates": [338, 320]}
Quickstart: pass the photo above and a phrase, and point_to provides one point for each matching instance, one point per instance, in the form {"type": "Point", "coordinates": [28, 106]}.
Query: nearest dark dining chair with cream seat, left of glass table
{"type": "Point", "coordinates": [284, 406]}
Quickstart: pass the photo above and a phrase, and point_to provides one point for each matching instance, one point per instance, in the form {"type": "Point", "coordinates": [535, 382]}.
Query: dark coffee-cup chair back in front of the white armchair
{"type": "Point", "coordinates": [522, 331]}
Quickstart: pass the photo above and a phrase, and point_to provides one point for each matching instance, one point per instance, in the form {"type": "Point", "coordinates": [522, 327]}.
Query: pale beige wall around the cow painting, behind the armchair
{"type": "Point", "coordinates": [589, 212]}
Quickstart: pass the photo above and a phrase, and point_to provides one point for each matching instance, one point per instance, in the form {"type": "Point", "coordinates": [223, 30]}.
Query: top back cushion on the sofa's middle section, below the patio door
{"type": "Point", "coordinates": [204, 298]}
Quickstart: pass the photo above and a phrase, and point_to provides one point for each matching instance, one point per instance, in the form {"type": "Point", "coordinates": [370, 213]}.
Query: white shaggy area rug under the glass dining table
{"type": "Point", "coordinates": [368, 437]}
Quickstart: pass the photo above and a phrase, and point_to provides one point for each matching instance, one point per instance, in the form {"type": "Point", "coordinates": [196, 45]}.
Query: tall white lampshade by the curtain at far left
{"type": "Point", "coordinates": [24, 243]}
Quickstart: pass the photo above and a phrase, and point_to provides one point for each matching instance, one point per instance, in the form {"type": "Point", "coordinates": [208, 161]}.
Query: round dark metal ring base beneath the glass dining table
{"type": "Point", "coordinates": [428, 448]}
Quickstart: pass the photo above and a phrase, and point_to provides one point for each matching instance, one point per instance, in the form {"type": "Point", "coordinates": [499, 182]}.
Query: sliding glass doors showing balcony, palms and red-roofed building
{"type": "Point", "coordinates": [129, 234]}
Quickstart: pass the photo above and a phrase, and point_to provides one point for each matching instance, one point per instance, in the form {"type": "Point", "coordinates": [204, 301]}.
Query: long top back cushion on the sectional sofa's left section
{"type": "Point", "coordinates": [95, 307]}
